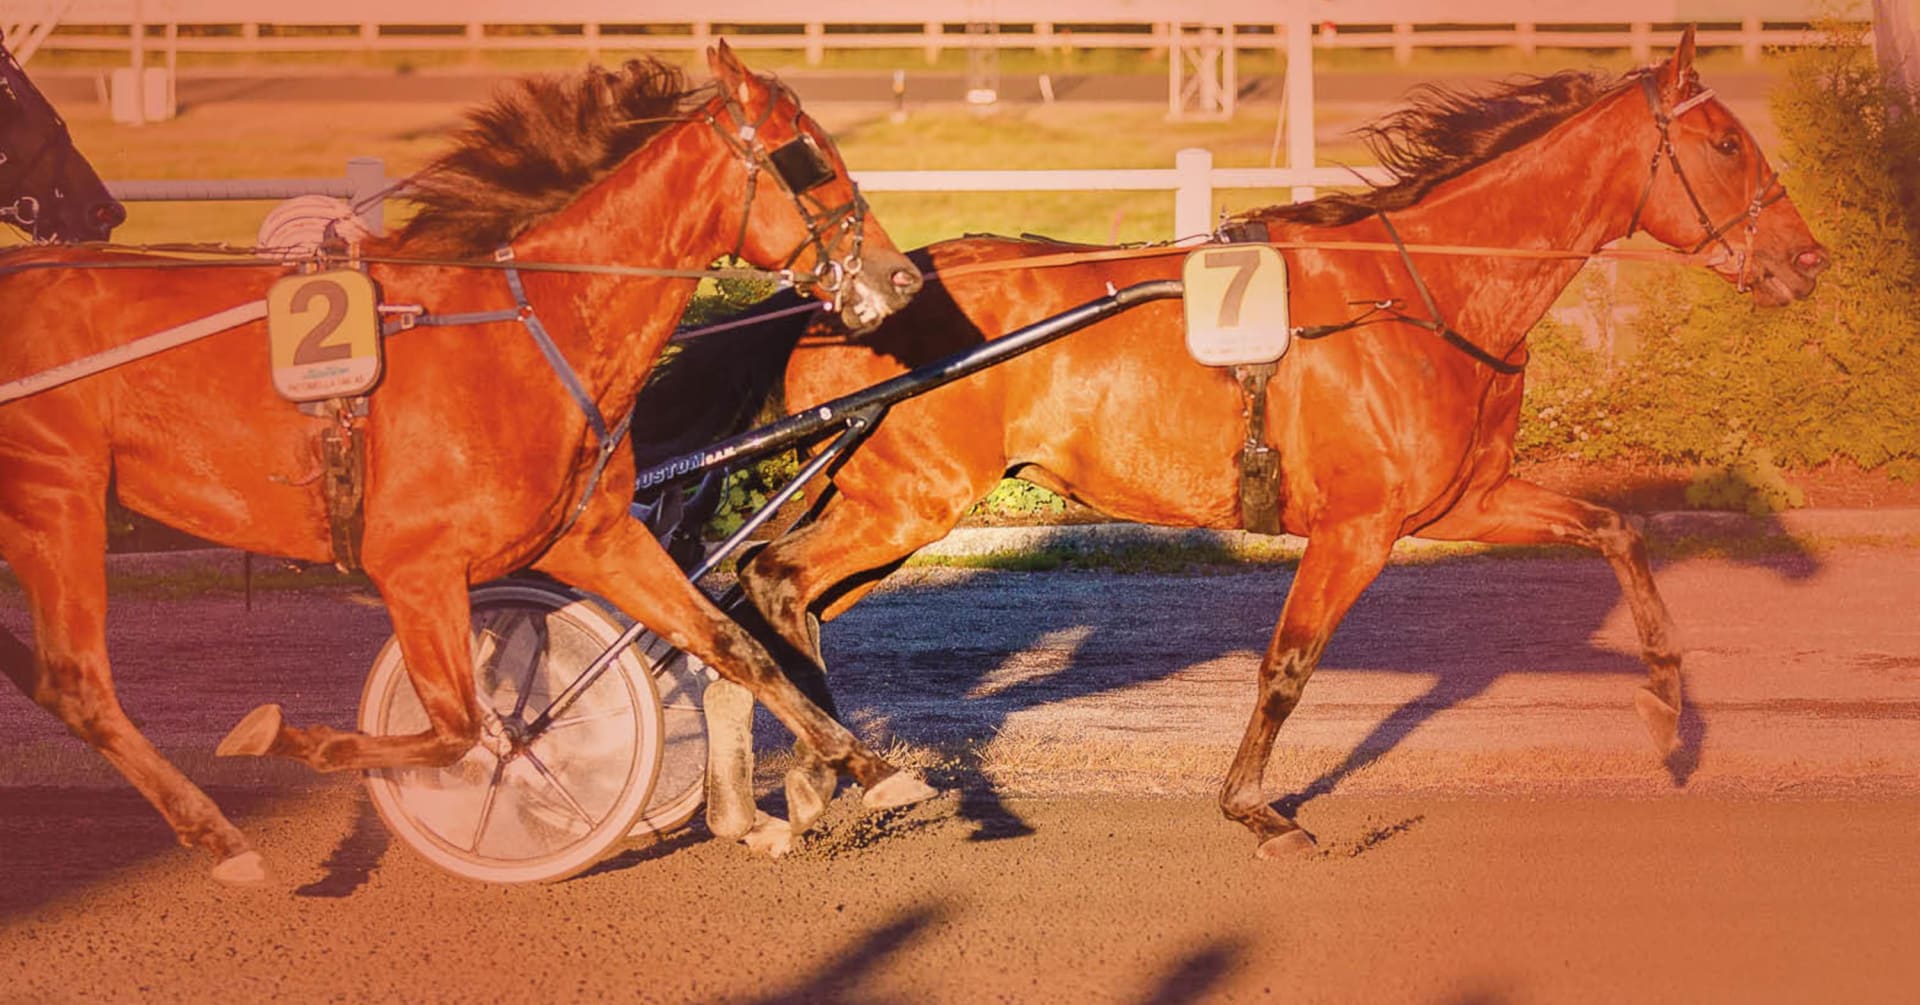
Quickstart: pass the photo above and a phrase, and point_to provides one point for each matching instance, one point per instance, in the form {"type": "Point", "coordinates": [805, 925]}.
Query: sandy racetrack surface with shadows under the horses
{"type": "Point", "coordinates": [1493, 827]}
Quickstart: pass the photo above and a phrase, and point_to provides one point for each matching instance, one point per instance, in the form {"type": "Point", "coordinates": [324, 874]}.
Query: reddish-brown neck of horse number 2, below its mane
{"type": "Point", "coordinates": [663, 208]}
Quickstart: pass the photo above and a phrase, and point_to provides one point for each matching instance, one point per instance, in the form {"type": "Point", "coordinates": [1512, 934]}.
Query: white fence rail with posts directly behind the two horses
{"type": "Point", "coordinates": [1191, 180]}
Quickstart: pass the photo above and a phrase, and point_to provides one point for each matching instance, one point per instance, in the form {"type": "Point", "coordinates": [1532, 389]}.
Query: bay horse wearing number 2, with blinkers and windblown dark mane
{"type": "Point", "coordinates": [483, 437]}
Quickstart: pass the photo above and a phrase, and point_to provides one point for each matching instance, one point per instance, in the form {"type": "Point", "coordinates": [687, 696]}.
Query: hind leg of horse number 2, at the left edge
{"type": "Point", "coordinates": [68, 675]}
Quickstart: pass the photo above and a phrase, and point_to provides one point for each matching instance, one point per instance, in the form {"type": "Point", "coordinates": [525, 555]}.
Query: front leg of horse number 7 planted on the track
{"type": "Point", "coordinates": [1339, 564]}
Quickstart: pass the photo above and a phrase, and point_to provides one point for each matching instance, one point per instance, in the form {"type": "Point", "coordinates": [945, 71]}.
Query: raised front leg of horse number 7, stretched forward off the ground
{"type": "Point", "coordinates": [1518, 512]}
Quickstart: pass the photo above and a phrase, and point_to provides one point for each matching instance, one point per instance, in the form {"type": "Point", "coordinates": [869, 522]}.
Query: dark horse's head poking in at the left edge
{"type": "Point", "coordinates": [47, 189]}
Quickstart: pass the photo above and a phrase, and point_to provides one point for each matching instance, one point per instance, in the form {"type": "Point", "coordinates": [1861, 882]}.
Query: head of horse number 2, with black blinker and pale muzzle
{"type": "Point", "coordinates": [802, 201]}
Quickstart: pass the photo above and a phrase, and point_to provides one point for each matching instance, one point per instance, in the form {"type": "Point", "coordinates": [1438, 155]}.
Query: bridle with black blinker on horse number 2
{"type": "Point", "coordinates": [802, 168]}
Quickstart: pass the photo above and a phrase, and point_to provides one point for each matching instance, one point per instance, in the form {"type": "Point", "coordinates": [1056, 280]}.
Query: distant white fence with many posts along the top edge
{"type": "Point", "coordinates": [594, 26]}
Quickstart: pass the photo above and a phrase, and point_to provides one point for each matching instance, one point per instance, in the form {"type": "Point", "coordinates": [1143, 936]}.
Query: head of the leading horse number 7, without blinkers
{"type": "Point", "coordinates": [1714, 193]}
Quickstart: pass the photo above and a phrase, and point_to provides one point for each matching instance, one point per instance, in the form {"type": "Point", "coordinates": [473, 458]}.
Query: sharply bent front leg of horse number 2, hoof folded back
{"type": "Point", "coordinates": [433, 625]}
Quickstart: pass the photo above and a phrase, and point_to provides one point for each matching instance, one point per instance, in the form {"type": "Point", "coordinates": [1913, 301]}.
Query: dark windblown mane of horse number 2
{"type": "Point", "coordinates": [535, 147]}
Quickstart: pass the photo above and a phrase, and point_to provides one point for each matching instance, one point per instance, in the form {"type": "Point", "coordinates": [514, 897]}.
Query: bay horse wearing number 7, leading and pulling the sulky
{"type": "Point", "coordinates": [1399, 428]}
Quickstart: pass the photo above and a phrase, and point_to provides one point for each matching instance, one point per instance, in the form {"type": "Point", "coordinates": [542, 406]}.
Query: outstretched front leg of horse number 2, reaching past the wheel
{"type": "Point", "coordinates": [644, 581]}
